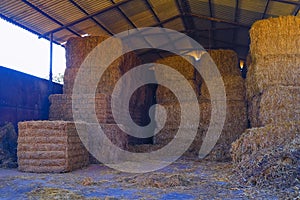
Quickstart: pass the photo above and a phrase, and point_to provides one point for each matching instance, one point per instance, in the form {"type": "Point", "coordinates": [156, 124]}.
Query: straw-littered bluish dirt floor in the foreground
{"type": "Point", "coordinates": [184, 179]}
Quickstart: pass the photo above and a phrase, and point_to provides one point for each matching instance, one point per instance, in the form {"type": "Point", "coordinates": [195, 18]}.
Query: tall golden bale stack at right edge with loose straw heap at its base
{"type": "Point", "coordinates": [273, 94]}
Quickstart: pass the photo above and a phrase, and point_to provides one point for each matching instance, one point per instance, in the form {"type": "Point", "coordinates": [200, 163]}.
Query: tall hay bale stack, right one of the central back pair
{"type": "Point", "coordinates": [236, 114]}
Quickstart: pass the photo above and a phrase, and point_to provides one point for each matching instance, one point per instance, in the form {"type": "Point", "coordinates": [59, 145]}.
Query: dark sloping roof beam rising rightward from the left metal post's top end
{"type": "Point", "coordinates": [86, 17]}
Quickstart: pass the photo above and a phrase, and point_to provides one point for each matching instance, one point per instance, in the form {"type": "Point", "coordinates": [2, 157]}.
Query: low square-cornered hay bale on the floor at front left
{"type": "Point", "coordinates": [50, 146]}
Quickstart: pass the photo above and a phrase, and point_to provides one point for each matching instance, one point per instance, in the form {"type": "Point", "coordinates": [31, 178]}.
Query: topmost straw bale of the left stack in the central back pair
{"type": "Point", "coordinates": [181, 65]}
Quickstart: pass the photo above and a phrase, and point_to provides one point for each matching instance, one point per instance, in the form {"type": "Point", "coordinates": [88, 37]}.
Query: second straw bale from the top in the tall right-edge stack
{"type": "Point", "coordinates": [271, 71]}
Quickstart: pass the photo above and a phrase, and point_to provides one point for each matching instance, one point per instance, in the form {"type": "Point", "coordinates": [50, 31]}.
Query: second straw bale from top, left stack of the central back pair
{"type": "Point", "coordinates": [164, 95]}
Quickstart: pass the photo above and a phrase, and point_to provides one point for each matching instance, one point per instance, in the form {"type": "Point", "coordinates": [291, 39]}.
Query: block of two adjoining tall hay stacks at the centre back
{"type": "Point", "coordinates": [236, 118]}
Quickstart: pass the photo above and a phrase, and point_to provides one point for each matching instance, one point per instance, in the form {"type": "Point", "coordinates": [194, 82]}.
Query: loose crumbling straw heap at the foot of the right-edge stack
{"type": "Point", "coordinates": [269, 156]}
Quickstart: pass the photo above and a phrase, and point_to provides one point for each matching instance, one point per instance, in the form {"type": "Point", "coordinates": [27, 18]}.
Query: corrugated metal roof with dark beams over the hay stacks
{"type": "Point", "coordinates": [214, 23]}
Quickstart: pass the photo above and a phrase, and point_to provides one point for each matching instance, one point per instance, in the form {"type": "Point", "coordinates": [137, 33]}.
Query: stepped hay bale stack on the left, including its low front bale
{"type": "Point", "coordinates": [54, 146]}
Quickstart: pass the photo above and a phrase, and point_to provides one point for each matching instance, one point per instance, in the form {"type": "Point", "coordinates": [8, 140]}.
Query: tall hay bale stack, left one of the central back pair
{"type": "Point", "coordinates": [166, 98]}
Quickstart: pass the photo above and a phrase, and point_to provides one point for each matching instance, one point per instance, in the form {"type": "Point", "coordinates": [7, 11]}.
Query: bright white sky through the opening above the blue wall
{"type": "Point", "coordinates": [23, 51]}
